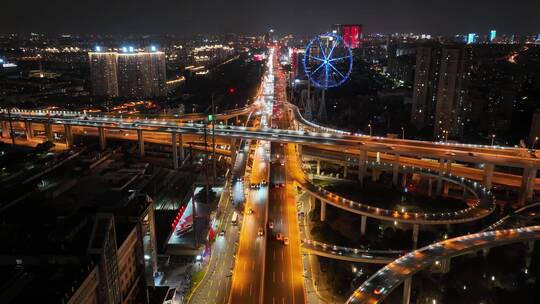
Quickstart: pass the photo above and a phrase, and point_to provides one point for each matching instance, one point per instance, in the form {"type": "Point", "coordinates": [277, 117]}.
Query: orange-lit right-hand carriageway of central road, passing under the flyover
{"type": "Point", "coordinates": [284, 281]}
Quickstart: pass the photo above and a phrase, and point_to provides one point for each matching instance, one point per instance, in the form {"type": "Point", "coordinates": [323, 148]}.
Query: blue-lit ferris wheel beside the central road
{"type": "Point", "coordinates": [328, 61]}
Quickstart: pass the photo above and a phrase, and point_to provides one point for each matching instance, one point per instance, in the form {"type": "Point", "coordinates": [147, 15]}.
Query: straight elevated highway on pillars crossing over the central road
{"type": "Point", "coordinates": [417, 153]}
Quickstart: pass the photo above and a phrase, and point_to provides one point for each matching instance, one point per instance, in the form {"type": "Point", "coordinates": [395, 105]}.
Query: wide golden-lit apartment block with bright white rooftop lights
{"type": "Point", "coordinates": [128, 74]}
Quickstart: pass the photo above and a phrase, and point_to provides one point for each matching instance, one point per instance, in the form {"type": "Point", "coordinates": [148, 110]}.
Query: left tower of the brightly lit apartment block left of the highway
{"type": "Point", "coordinates": [103, 73]}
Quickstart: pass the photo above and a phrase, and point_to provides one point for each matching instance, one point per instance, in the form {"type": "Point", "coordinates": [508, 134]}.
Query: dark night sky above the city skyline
{"type": "Point", "coordinates": [252, 16]}
